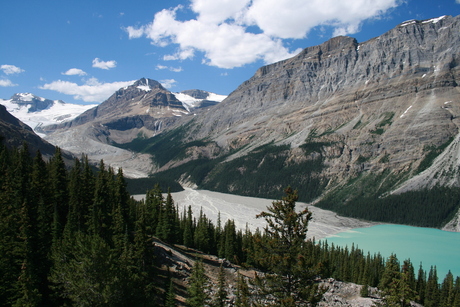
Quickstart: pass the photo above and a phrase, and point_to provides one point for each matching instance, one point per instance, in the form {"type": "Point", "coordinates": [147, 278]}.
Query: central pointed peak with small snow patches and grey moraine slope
{"type": "Point", "coordinates": [141, 110]}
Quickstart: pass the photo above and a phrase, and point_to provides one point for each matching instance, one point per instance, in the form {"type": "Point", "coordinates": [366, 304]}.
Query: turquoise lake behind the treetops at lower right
{"type": "Point", "coordinates": [431, 247]}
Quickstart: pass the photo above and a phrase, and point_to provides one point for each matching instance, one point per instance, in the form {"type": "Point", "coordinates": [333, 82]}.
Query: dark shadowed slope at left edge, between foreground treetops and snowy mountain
{"type": "Point", "coordinates": [15, 133]}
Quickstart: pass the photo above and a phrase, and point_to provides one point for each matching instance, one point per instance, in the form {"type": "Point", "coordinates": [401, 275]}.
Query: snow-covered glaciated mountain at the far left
{"type": "Point", "coordinates": [37, 111]}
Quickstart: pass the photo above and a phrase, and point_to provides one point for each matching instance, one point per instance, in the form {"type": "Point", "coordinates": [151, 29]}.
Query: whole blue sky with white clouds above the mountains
{"type": "Point", "coordinates": [82, 51]}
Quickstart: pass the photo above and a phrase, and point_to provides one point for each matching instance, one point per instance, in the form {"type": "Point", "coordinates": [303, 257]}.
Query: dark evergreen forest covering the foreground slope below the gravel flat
{"type": "Point", "coordinates": [75, 237]}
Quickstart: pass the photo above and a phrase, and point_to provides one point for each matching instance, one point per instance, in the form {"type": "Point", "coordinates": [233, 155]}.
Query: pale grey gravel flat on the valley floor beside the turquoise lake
{"type": "Point", "coordinates": [243, 211]}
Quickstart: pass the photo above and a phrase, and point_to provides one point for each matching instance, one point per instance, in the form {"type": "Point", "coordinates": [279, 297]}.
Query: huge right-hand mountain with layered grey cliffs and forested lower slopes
{"type": "Point", "coordinates": [345, 122]}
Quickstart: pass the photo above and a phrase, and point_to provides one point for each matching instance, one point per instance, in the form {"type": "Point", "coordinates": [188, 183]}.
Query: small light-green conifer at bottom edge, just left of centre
{"type": "Point", "coordinates": [198, 283]}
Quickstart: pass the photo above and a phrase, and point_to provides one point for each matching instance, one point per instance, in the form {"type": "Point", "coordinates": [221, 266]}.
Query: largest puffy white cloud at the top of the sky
{"type": "Point", "coordinates": [221, 29]}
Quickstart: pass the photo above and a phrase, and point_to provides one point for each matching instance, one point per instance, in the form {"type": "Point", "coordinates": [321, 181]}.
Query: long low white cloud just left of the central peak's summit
{"type": "Point", "coordinates": [91, 91]}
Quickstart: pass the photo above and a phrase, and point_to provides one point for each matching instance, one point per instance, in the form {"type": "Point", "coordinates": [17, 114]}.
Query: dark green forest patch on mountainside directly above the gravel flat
{"type": "Point", "coordinates": [262, 172]}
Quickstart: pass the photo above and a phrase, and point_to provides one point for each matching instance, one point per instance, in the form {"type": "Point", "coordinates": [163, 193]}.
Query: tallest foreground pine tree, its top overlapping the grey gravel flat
{"type": "Point", "coordinates": [290, 279]}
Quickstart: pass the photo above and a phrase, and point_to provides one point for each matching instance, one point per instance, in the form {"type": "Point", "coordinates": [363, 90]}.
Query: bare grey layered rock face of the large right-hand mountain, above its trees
{"type": "Point", "coordinates": [377, 105]}
